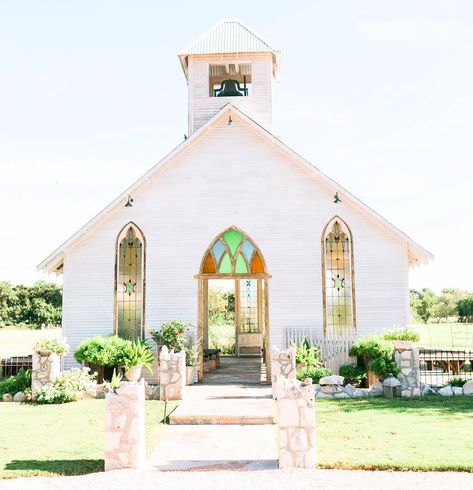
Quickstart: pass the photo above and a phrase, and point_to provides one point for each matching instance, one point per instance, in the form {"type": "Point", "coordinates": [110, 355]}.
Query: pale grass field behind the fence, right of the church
{"type": "Point", "coordinates": [445, 335]}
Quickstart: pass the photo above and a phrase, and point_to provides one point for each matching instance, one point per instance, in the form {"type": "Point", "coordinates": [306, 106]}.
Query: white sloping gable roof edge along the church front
{"type": "Point", "coordinates": [417, 254]}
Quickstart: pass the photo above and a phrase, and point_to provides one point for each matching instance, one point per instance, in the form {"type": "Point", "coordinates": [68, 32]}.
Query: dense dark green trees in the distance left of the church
{"type": "Point", "coordinates": [34, 306]}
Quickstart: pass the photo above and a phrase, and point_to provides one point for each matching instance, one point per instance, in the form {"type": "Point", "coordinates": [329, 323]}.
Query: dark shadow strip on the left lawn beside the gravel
{"type": "Point", "coordinates": [55, 466]}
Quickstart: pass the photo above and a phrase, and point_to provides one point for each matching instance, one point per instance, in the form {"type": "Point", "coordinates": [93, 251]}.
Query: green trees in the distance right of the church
{"type": "Point", "coordinates": [451, 303]}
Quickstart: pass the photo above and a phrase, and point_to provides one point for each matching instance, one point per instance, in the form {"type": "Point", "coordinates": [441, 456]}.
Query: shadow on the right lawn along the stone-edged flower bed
{"type": "Point", "coordinates": [440, 405]}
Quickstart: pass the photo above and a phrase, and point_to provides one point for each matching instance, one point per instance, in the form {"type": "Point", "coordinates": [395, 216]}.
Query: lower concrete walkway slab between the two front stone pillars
{"type": "Point", "coordinates": [216, 447]}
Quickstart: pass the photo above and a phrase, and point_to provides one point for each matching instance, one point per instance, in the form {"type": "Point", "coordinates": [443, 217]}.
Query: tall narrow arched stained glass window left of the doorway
{"type": "Point", "coordinates": [130, 283]}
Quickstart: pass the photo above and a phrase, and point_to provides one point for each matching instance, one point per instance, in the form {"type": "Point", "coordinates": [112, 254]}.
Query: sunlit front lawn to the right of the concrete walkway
{"type": "Point", "coordinates": [431, 434]}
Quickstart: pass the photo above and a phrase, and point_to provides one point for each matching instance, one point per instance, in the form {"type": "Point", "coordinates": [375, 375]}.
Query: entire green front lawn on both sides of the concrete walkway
{"type": "Point", "coordinates": [404, 434]}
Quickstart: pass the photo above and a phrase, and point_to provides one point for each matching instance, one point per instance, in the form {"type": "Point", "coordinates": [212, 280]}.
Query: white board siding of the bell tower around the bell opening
{"type": "Point", "coordinates": [257, 105]}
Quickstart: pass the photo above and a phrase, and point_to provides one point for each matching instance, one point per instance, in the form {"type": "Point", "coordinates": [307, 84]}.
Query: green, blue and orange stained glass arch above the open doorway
{"type": "Point", "coordinates": [233, 253]}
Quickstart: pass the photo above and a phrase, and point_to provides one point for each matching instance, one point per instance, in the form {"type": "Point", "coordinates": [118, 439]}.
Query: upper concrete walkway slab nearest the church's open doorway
{"type": "Point", "coordinates": [225, 404]}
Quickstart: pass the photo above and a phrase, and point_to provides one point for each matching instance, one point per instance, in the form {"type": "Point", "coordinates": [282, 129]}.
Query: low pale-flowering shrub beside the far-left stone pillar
{"type": "Point", "coordinates": [70, 386]}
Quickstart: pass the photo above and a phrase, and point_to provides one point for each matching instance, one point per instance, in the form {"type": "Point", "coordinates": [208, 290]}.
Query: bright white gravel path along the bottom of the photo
{"type": "Point", "coordinates": [241, 480]}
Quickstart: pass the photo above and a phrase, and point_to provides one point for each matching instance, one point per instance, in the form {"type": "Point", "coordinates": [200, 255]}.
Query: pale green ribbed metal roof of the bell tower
{"type": "Point", "coordinates": [229, 36]}
